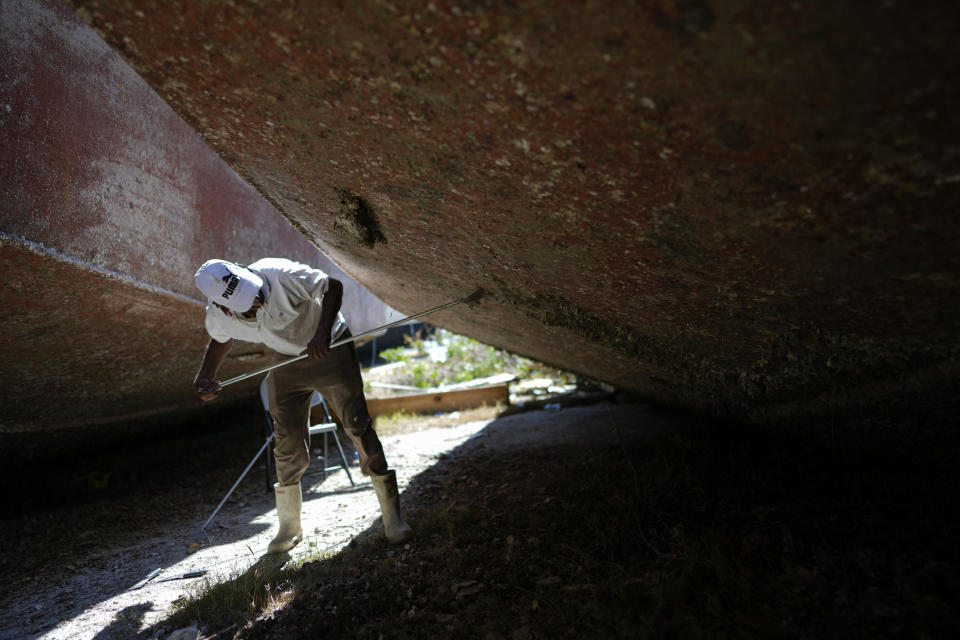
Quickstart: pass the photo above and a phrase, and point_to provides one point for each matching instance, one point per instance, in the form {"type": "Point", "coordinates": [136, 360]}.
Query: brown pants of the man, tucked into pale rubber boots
{"type": "Point", "coordinates": [337, 377]}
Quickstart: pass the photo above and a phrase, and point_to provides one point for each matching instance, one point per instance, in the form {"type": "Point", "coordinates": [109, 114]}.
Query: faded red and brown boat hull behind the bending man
{"type": "Point", "coordinates": [110, 201]}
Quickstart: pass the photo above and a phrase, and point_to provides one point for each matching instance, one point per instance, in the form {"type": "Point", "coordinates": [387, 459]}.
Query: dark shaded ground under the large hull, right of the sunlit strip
{"type": "Point", "coordinates": [694, 532]}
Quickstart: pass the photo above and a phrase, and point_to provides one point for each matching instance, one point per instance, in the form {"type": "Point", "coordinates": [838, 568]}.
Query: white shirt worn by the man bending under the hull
{"type": "Point", "coordinates": [288, 319]}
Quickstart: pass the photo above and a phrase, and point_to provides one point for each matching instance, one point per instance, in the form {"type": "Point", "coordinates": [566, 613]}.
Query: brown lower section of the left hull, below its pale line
{"type": "Point", "coordinates": [99, 349]}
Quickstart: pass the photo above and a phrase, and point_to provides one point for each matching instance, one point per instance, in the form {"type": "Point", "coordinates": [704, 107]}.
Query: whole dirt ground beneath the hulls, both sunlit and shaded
{"type": "Point", "coordinates": [606, 520]}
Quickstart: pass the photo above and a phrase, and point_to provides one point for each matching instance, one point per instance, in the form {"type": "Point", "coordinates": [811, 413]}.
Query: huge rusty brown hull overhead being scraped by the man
{"type": "Point", "coordinates": [745, 208]}
